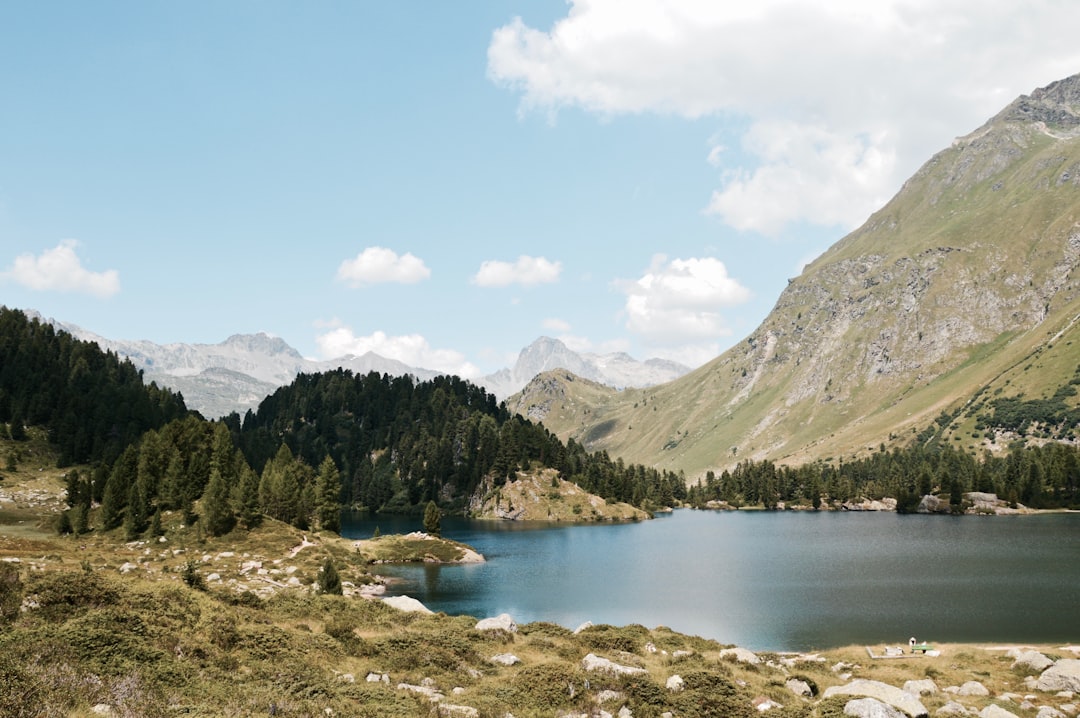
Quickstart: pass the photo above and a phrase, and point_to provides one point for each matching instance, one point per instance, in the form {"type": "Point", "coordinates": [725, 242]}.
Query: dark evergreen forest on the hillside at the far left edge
{"type": "Point", "coordinates": [92, 403]}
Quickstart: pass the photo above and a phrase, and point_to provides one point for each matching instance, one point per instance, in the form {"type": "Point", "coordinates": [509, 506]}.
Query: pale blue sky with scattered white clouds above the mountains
{"type": "Point", "coordinates": [443, 183]}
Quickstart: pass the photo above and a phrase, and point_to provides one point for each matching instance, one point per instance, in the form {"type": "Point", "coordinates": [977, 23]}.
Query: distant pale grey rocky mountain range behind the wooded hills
{"type": "Point", "coordinates": [239, 373]}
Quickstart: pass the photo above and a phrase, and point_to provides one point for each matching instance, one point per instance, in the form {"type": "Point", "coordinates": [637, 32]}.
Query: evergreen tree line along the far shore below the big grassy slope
{"type": "Point", "coordinates": [1039, 477]}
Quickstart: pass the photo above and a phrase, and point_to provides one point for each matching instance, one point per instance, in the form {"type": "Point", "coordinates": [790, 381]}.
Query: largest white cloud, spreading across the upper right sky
{"type": "Point", "coordinates": [867, 90]}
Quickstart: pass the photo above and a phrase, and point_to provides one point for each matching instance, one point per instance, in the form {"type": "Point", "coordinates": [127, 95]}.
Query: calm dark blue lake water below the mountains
{"type": "Point", "coordinates": [766, 580]}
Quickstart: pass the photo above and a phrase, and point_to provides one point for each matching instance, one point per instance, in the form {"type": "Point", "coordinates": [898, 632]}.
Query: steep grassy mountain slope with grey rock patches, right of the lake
{"type": "Point", "coordinates": [962, 289]}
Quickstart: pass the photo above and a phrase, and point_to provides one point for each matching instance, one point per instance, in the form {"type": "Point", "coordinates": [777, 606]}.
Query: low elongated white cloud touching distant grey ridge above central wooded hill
{"type": "Point", "coordinates": [412, 349]}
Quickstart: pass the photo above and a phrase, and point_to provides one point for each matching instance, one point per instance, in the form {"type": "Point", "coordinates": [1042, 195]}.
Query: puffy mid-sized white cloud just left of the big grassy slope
{"type": "Point", "coordinates": [680, 302]}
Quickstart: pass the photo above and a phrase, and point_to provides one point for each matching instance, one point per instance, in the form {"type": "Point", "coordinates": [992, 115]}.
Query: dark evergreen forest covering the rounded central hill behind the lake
{"type": "Point", "coordinates": [401, 443]}
